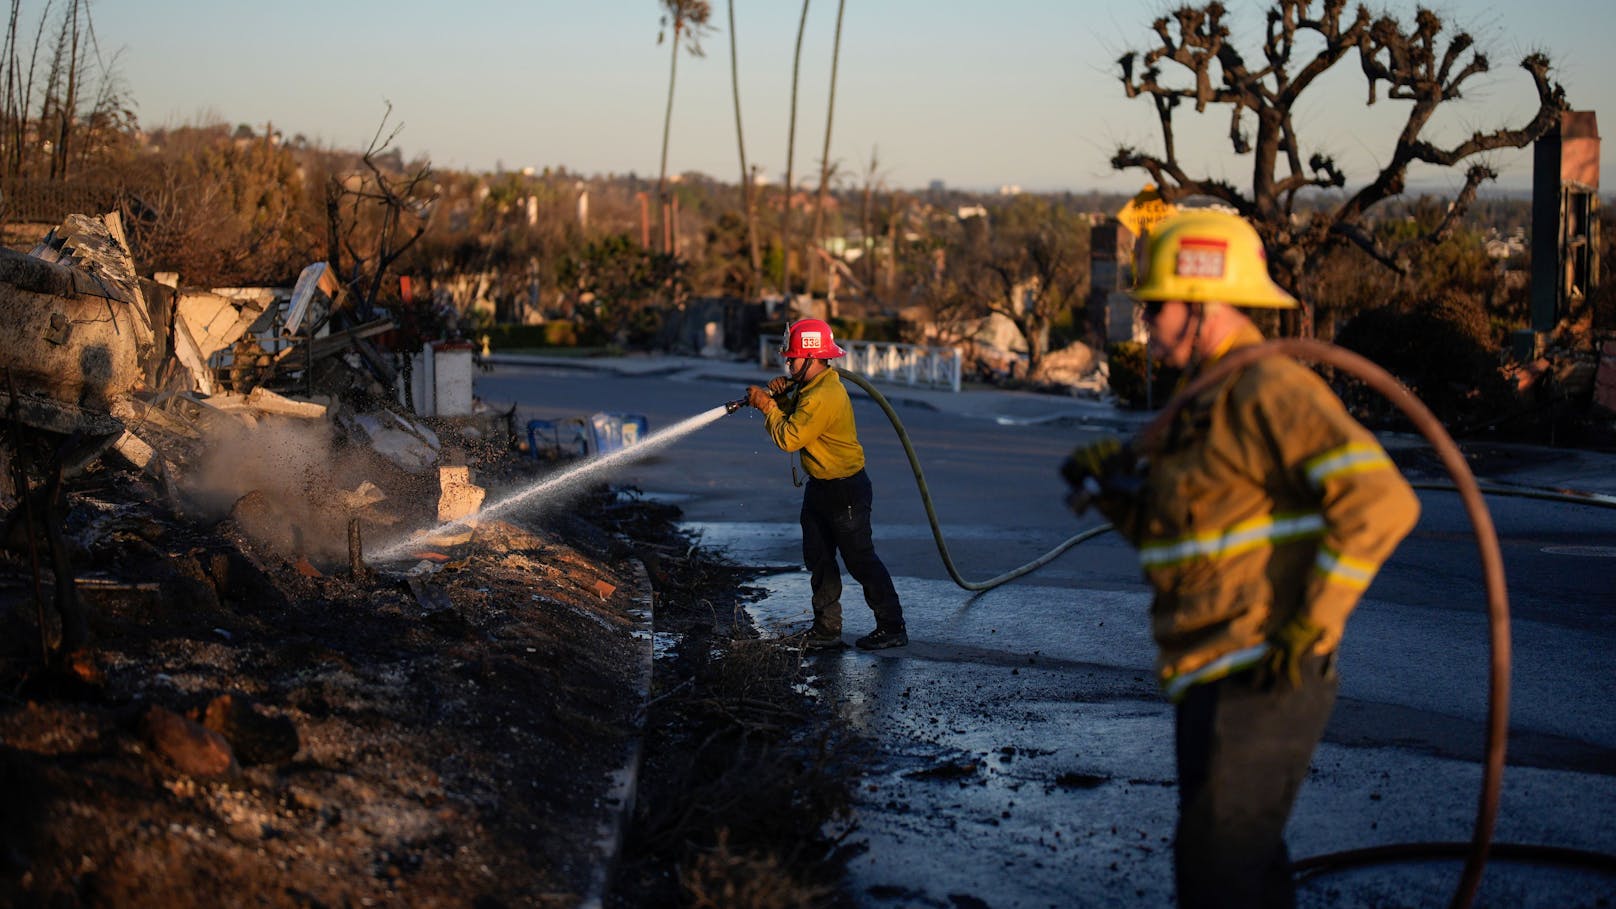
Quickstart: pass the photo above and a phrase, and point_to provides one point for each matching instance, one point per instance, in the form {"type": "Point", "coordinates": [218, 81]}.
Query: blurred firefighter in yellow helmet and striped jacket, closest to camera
{"type": "Point", "coordinates": [1260, 522]}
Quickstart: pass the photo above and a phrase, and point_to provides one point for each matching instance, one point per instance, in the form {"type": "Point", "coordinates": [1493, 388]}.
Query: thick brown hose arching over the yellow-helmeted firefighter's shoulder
{"type": "Point", "coordinates": [1486, 541]}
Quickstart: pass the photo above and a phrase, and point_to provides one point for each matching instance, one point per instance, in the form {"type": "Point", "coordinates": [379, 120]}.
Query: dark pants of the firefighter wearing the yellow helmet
{"type": "Point", "coordinates": [1244, 755]}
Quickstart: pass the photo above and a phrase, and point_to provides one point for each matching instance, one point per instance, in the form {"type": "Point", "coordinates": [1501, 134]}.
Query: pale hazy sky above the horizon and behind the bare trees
{"type": "Point", "coordinates": [975, 95]}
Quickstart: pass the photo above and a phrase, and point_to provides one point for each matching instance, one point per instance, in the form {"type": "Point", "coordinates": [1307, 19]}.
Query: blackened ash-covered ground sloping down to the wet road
{"type": "Point", "coordinates": [258, 722]}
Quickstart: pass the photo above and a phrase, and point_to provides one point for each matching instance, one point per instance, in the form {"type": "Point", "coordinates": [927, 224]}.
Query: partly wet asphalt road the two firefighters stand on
{"type": "Point", "coordinates": [1025, 751]}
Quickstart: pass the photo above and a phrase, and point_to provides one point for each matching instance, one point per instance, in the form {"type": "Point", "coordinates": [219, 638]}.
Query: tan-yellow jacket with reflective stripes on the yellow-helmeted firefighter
{"type": "Point", "coordinates": [1268, 501]}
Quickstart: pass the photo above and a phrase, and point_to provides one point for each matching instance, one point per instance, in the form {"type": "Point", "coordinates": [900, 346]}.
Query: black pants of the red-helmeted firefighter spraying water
{"type": "Point", "coordinates": [836, 518]}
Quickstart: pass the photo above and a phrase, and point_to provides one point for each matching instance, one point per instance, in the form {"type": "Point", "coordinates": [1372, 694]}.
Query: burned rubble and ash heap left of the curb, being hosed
{"type": "Point", "coordinates": [209, 690]}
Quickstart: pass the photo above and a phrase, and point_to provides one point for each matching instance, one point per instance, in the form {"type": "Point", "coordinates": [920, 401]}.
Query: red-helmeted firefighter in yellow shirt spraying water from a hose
{"type": "Point", "coordinates": [819, 421]}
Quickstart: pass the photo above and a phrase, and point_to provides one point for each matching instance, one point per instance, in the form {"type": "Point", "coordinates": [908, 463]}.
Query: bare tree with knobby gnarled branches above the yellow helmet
{"type": "Point", "coordinates": [1426, 66]}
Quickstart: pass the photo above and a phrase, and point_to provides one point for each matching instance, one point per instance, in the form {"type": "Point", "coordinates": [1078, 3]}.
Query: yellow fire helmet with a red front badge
{"type": "Point", "coordinates": [1206, 256]}
